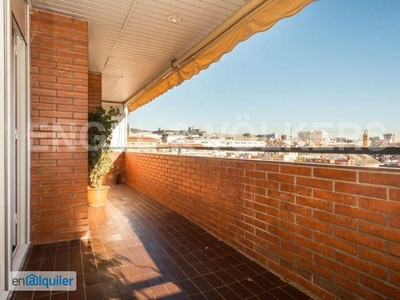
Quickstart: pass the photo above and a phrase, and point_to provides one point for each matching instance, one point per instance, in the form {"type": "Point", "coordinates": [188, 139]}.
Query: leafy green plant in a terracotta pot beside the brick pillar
{"type": "Point", "coordinates": [101, 125]}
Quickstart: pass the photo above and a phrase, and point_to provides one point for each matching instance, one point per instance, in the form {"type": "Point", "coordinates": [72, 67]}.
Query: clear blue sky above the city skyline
{"type": "Point", "coordinates": [335, 66]}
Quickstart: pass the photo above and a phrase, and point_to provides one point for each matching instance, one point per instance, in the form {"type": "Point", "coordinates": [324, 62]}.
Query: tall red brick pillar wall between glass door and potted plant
{"type": "Point", "coordinates": [59, 101]}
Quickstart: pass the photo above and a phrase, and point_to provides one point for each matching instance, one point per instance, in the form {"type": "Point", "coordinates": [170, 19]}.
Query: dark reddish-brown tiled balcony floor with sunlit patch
{"type": "Point", "coordinates": [139, 249]}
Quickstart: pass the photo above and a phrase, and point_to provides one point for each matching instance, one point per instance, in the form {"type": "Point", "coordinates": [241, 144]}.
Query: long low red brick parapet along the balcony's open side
{"type": "Point", "coordinates": [332, 231]}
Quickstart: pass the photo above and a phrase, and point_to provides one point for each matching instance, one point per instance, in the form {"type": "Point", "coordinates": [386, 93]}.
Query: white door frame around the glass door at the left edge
{"type": "Point", "coordinates": [10, 260]}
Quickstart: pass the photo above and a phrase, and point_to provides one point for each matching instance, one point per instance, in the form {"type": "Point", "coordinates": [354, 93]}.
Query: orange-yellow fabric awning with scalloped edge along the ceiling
{"type": "Point", "coordinates": [261, 19]}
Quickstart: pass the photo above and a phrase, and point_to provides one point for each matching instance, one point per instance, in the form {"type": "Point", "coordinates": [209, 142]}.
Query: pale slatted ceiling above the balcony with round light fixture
{"type": "Point", "coordinates": [132, 41]}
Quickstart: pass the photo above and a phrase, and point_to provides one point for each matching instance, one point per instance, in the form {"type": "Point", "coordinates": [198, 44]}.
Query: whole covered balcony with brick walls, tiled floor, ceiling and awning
{"type": "Point", "coordinates": [331, 232]}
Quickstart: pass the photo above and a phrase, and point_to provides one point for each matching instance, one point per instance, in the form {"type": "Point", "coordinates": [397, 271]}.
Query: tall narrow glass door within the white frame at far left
{"type": "Point", "coordinates": [18, 158]}
